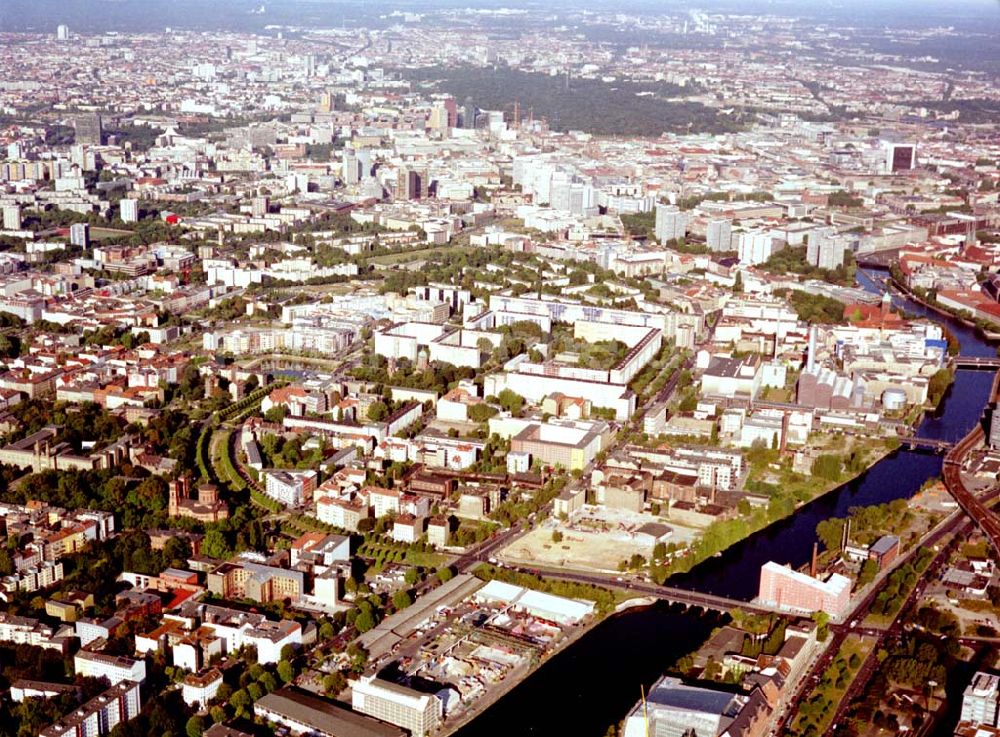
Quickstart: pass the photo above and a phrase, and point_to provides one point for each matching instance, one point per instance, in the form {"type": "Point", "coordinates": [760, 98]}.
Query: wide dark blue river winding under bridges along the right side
{"type": "Point", "coordinates": [596, 681]}
